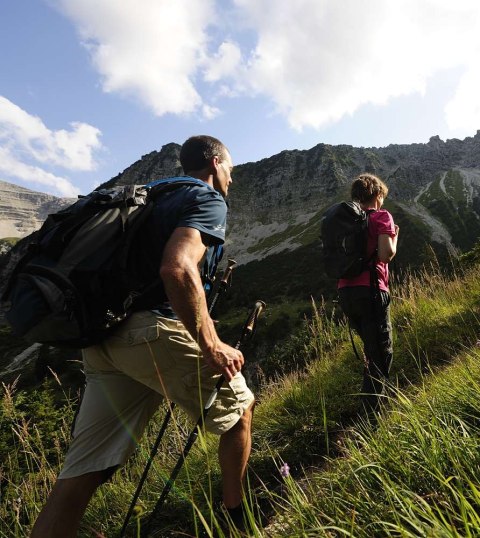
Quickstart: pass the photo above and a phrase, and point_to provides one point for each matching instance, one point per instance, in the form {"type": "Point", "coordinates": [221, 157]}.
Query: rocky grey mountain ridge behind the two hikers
{"type": "Point", "coordinates": [276, 203]}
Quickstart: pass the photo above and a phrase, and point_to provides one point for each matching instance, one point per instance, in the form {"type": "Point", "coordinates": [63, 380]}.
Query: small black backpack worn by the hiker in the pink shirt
{"type": "Point", "coordinates": [344, 233]}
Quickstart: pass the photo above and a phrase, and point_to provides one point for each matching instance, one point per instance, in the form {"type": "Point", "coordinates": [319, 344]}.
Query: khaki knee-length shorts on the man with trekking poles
{"type": "Point", "coordinates": [150, 357]}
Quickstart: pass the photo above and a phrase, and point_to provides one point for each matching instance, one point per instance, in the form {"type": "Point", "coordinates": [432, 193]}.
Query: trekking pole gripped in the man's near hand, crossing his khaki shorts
{"type": "Point", "coordinates": [247, 332]}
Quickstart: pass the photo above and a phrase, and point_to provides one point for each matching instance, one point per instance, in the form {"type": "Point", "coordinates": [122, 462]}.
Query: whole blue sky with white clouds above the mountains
{"type": "Point", "coordinates": [89, 86]}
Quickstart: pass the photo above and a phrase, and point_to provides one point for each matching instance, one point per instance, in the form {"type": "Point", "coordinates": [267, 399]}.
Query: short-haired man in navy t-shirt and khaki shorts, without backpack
{"type": "Point", "coordinates": [169, 349]}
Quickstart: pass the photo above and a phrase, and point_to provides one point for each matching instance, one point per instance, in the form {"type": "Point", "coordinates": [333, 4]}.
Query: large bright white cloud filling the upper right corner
{"type": "Point", "coordinates": [320, 60]}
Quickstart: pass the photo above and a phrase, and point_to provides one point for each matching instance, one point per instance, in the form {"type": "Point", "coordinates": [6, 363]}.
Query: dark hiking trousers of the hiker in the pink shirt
{"type": "Point", "coordinates": [371, 320]}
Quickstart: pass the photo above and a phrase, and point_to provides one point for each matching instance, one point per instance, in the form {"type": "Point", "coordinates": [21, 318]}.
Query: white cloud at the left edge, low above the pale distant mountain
{"type": "Point", "coordinates": [26, 143]}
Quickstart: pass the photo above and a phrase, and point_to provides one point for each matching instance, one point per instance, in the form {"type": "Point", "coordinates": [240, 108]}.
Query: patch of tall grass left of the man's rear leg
{"type": "Point", "coordinates": [34, 435]}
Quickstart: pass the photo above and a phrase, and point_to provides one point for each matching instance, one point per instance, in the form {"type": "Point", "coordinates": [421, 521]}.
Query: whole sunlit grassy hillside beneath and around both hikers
{"type": "Point", "coordinates": [412, 473]}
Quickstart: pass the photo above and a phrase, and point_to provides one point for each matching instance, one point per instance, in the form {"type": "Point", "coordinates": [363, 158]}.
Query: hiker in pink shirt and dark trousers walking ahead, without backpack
{"type": "Point", "coordinates": [365, 299]}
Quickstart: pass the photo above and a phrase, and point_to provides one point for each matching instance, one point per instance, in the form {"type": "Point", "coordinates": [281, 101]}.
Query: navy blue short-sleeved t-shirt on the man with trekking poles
{"type": "Point", "coordinates": [196, 206]}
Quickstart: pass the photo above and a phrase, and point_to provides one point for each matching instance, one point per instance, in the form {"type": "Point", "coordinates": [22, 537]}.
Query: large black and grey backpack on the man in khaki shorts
{"type": "Point", "coordinates": [77, 280]}
